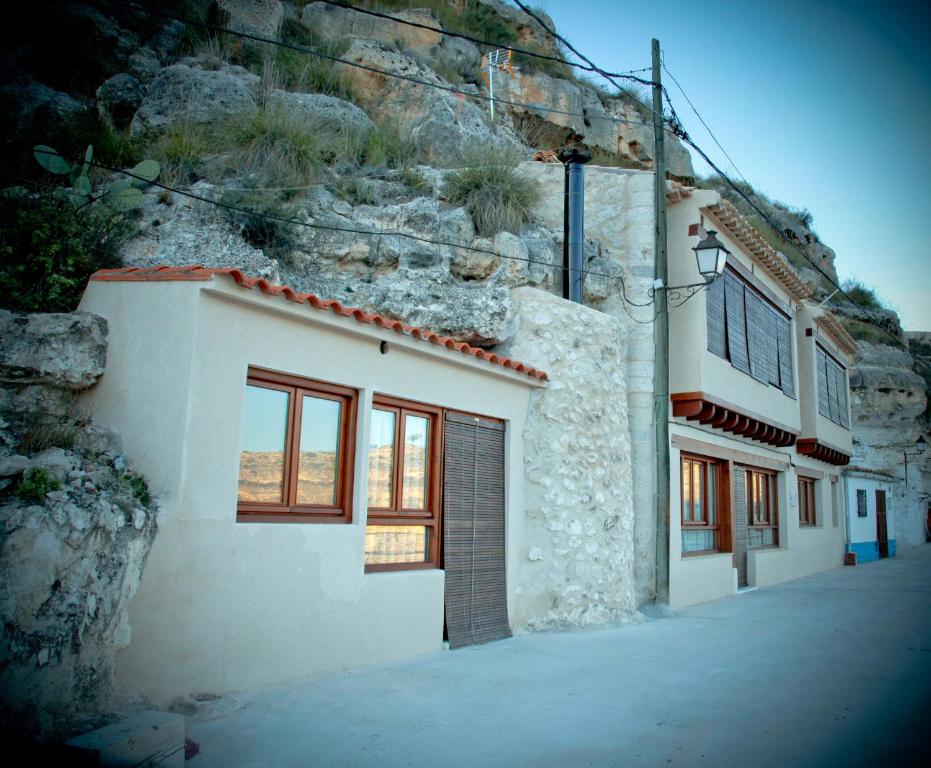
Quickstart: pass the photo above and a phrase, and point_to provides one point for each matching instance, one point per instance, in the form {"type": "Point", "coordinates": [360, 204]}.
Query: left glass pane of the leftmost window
{"type": "Point", "coordinates": [261, 459]}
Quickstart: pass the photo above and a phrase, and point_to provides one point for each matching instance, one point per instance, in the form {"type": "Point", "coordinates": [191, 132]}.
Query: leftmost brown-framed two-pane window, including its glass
{"type": "Point", "coordinates": [295, 461]}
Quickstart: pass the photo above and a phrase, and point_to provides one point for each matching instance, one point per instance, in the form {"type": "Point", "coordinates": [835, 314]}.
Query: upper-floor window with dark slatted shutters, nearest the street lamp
{"type": "Point", "coordinates": [746, 329]}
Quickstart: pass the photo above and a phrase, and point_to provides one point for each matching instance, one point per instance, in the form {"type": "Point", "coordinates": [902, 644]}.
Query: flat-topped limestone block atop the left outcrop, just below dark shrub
{"type": "Point", "coordinates": [64, 350]}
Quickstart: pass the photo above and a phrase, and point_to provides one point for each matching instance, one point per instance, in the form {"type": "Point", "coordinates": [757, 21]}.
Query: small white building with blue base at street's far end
{"type": "Point", "coordinates": [870, 514]}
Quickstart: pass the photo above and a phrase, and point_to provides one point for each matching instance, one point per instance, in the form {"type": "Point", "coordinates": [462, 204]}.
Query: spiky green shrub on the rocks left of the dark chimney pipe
{"type": "Point", "coordinates": [493, 189]}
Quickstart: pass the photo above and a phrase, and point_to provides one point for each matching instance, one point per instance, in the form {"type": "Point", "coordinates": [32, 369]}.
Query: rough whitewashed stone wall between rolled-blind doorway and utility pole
{"type": "Point", "coordinates": [578, 569]}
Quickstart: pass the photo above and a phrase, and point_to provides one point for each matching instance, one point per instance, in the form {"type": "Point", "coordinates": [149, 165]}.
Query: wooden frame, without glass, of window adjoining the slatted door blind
{"type": "Point", "coordinates": [396, 515]}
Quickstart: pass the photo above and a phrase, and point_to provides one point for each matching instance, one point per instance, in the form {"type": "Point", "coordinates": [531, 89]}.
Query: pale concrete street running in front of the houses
{"type": "Point", "coordinates": [830, 670]}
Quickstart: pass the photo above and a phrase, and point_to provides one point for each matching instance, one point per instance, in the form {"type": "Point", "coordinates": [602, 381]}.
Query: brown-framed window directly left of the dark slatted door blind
{"type": "Point", "coordinates": [404, 486]}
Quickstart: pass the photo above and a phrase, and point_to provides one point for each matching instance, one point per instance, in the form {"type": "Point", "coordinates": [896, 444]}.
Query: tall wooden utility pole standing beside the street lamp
{"type": "Point", "coordinates": [660, 345]}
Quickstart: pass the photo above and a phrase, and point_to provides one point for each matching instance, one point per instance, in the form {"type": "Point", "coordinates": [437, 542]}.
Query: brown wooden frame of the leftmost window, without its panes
{"type": "Point", "coordinates": [290, 511]}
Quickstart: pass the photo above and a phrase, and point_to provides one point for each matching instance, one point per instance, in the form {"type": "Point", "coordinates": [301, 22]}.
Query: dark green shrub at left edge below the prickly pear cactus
{"type": "Point", "coordinates": [48, 250]}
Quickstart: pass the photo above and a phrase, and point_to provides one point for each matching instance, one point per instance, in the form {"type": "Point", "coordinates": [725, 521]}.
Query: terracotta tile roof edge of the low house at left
{"type": "Point", "coordinates": [199, 272]}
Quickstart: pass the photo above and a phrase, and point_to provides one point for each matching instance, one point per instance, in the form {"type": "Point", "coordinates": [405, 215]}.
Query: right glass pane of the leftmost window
{"type": "Point", "coordinates": [318, 467]}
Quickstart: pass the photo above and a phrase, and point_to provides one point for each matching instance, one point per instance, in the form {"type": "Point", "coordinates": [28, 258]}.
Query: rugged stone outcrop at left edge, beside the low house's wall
{"type": "Point", "coordinates": [76, 525]}
